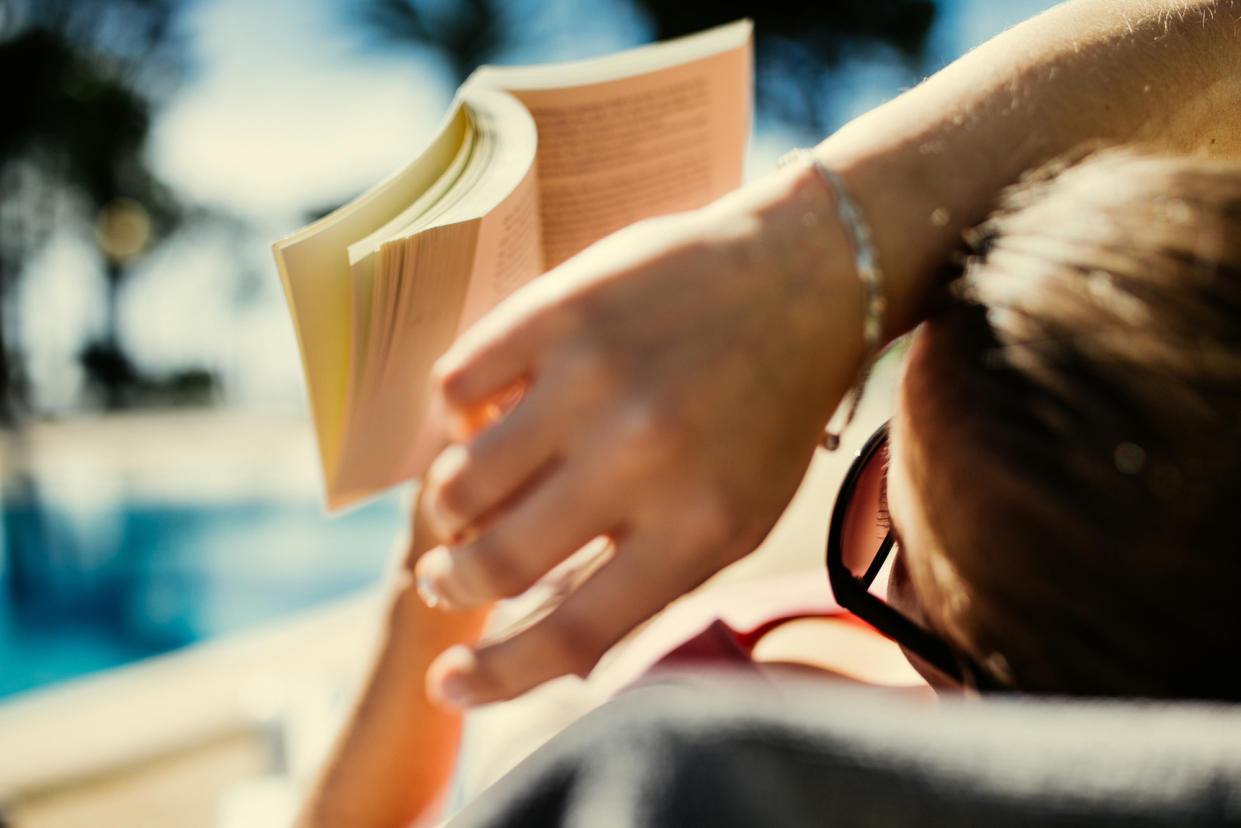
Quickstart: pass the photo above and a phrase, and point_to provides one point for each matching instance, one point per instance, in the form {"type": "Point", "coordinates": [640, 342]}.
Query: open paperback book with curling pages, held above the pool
{"type": "Point", "coordinates": [531, 166]}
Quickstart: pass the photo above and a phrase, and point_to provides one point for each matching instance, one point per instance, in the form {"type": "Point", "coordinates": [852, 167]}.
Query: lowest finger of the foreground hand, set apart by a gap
{"type": "Point", "coordinates": [571, 639]}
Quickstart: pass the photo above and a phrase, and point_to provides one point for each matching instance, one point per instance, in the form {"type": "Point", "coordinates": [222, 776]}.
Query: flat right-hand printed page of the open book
{"type": "Point", "coordinates": [617, 151]}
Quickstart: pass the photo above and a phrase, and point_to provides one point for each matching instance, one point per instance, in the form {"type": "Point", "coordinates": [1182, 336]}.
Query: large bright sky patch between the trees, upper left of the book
{"type": "Point", "coordinates": [287, 110]}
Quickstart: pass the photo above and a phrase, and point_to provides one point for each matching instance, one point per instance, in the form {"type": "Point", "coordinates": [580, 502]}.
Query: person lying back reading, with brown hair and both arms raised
{"type": "Point", "coordinates": [683, 438]}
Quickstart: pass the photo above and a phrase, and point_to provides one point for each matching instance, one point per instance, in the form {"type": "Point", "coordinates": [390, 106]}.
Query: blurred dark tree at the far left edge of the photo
{"type": "Point", "coordinates": [76, 127]}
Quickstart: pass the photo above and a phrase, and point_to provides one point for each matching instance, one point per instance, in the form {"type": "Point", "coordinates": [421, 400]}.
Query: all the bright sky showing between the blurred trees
{"type": "Point", "coordinates": [290, 110]}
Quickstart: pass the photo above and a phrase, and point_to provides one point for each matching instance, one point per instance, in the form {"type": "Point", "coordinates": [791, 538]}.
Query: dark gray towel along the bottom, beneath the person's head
{"type": "Point", "coordinates": [720, 754]}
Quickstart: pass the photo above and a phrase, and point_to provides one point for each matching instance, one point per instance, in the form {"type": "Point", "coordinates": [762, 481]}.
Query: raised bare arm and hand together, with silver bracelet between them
{"type": "Point", "coordinates": [679, 373]}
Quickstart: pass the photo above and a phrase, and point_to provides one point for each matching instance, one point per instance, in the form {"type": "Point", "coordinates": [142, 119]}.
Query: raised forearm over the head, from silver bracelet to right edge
{"type": "Point", "coordinates": [1165, 76]}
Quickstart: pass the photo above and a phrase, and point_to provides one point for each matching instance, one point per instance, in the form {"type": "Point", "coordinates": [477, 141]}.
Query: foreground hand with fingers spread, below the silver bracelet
{"type": "Point", "coordinates": [677, 378]}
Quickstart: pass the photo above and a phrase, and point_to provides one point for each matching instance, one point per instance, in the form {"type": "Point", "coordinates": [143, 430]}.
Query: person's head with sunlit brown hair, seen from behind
{"type": "Point", "coordinates": [1067, 462]}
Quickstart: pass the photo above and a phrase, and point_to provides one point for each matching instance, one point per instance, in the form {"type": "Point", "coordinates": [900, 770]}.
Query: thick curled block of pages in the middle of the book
{"type": "Point", "coordinates": [475, 246]}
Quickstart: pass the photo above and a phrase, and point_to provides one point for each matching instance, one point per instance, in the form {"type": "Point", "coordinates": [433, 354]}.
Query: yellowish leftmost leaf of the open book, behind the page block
{"type": "Point", "coordinates": [315, 270]}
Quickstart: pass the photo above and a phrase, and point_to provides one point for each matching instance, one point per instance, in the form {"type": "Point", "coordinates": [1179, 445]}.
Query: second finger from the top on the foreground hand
{"type": "Point", "coordinates": [466, 482]}
